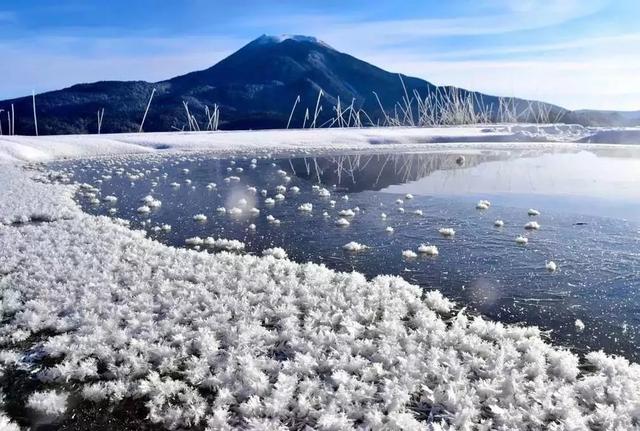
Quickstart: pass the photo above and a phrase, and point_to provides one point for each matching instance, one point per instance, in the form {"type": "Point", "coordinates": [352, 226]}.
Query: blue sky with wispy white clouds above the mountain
{"type": "Point", "coordinates": [576, 53]}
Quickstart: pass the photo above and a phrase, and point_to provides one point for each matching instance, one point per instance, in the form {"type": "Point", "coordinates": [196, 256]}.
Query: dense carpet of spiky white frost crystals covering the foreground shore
{"type": "Point", "coordinates": [259, 342]}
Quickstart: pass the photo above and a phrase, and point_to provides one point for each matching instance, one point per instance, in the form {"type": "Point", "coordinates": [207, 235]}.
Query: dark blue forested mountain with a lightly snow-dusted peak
{"type": "Point", "coordinates": [257, 86]}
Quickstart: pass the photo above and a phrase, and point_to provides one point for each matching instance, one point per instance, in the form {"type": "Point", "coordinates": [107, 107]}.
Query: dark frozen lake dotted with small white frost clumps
{"type": "Point", "coordinates": [589, 203]}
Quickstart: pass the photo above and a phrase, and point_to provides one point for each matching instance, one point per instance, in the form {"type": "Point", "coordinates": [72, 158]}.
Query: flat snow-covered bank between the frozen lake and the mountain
{"type": "Point", "coordinates": [29, 148]}
